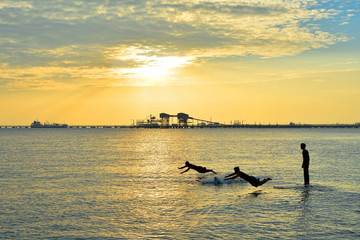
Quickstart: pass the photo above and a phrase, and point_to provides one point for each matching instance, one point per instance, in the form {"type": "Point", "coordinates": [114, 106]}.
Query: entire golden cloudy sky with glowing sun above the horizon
{"type": "Point", "coordinates": [115, 62]}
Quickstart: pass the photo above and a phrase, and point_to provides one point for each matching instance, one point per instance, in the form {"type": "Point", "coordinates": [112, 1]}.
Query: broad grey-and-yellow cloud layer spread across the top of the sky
{"type": "Point", "coordinates": [82, 33]}
